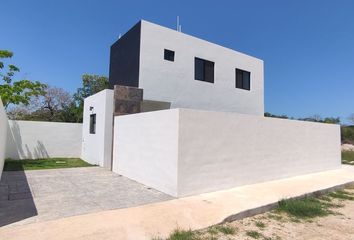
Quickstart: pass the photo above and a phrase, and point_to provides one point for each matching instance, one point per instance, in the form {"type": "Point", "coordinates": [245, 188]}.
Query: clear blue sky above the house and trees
{"type": "Point", "coordinates": [307, 46]}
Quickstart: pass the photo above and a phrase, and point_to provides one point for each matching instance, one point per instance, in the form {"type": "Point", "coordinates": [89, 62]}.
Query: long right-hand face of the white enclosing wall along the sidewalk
{"type": "Point", "coordinates": [223, 150]}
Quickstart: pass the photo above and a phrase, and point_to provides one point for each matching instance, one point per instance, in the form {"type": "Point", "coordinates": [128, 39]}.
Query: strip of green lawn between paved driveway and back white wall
{"type": "Point", "coordinates": [47, 163]}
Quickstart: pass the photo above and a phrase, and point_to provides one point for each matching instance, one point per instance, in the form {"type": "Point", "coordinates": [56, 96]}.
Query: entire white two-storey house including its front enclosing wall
{"type": "Point", "coordinates": [208, 132]}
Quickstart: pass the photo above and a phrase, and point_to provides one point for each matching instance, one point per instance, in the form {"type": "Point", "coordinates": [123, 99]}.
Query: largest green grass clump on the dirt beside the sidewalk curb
{"type": "Point", "coordinates": [307, 207]}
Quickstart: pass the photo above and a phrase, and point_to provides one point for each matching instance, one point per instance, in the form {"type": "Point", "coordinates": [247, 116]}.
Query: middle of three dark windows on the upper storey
{"type": "Point", "coordinates": [203, 70]}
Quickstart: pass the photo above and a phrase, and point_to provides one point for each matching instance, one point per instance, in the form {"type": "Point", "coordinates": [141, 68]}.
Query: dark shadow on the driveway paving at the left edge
{"type": "Point", "coordinates": [16, 200]}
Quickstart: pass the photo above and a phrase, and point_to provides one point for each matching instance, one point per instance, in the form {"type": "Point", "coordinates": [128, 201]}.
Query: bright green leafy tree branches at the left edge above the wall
{"type": "Point", "coordinates": [16, 92]}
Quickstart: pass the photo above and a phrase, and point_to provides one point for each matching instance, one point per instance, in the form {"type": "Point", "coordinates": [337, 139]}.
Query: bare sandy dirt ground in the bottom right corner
{"type": "Point", "coordinates": [274, 225]}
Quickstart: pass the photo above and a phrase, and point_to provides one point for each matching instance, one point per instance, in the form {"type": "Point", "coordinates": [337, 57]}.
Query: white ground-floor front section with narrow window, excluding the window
{"type": "Point", "coordinates": [97, 148]}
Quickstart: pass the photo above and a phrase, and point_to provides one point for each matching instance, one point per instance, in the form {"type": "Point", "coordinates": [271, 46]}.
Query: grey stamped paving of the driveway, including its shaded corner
{"type": "Point", "coordinates": [40, 195]}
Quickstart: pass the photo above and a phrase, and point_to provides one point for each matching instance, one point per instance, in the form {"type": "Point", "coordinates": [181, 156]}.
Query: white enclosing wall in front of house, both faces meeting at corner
{"type": "Point", "coordinates": [185, 152]}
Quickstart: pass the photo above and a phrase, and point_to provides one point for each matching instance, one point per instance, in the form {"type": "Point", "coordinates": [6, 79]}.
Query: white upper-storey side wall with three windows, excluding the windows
{"type": "Point", "coordinates": [174, 82]}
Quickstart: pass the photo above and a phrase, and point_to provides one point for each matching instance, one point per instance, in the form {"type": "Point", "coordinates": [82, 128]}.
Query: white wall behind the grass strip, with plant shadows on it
{"type": "Point", "coordinates": [32, 139]}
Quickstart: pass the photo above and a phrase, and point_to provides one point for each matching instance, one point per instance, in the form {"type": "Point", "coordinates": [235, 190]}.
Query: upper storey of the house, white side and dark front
{"type": "Point", "coordinates": [186, 72]}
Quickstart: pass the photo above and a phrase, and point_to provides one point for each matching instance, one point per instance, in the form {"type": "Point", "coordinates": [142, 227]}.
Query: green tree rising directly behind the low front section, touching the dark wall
{"type": "Point", "coordinates": [91, 84]}
